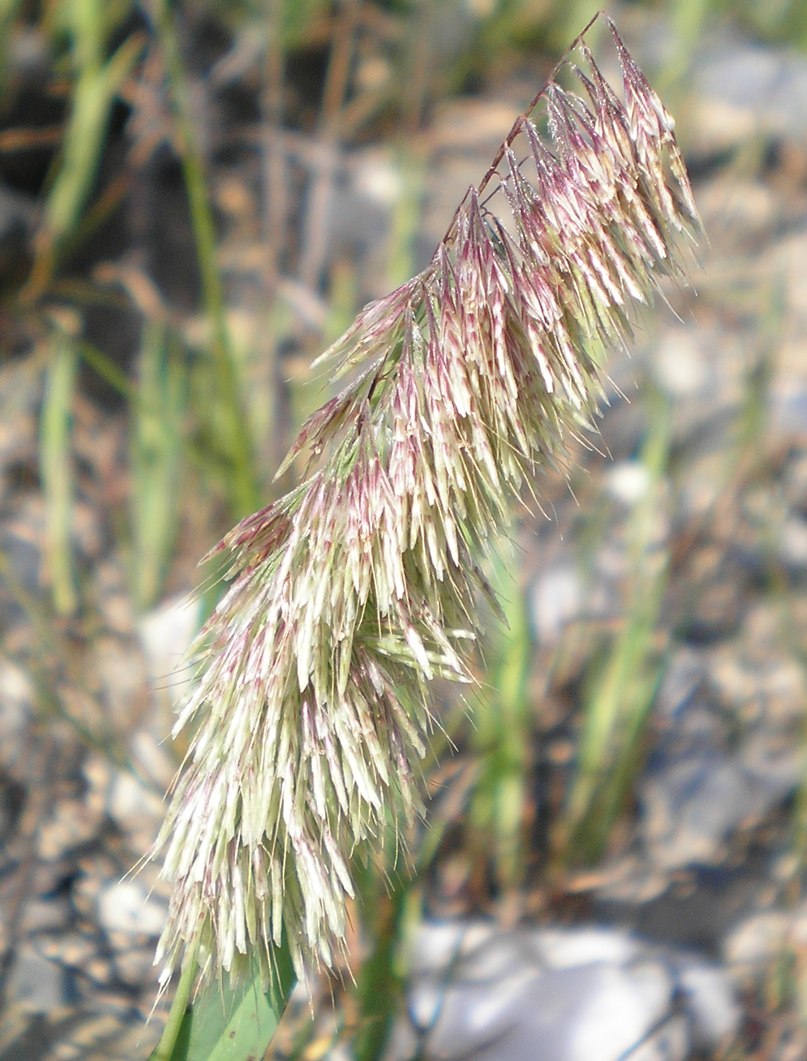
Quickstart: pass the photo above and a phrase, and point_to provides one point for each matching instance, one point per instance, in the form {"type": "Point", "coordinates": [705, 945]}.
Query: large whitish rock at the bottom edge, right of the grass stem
{"type": "Point", "coordinates": [583, 995]}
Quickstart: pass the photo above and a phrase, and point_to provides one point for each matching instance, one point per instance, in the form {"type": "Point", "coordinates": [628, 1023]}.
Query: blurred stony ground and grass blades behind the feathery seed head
{"type": "Point", "coordinates": [196, 199]}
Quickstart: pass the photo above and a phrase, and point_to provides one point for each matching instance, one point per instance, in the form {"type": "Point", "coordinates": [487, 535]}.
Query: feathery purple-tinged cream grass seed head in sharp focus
{"type": "Point", "coordinates": [353, 593]}
